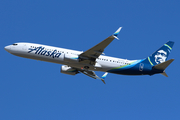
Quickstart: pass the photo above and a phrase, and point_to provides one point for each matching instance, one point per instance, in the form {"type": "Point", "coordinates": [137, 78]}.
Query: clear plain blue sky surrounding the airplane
{"type": "Point", "coordinates": [31, 89]}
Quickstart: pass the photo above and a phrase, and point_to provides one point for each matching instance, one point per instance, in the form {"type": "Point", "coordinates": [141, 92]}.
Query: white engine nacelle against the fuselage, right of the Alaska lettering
{"type": "Point", "coordinates": [71, 58]}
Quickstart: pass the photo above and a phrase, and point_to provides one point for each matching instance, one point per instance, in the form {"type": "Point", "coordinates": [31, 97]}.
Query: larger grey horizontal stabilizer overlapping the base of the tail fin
{"type": "Point", "coordinates": [164, 65]}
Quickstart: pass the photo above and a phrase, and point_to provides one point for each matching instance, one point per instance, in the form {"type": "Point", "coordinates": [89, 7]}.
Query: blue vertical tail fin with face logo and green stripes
{"type": "Point", "coordinates": [161, 54]}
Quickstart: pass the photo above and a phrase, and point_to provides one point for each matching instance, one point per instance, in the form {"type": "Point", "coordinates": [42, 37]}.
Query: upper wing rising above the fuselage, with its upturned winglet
{"type": "Point", "coordinates": [90, 55]}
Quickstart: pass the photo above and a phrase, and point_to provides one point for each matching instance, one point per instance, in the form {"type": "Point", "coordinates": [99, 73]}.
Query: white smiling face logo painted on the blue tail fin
{"type": "Point", "coordinates": [160, 56]}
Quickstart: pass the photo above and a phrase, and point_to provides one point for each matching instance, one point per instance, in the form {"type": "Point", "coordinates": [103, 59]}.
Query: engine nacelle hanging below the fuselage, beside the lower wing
{"type": "Point", "coordinates": [68, 70]}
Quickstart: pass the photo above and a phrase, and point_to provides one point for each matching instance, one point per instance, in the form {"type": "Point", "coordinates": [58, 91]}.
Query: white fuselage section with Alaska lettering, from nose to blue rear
{"type": "Point", "coordinates": [63, 56]}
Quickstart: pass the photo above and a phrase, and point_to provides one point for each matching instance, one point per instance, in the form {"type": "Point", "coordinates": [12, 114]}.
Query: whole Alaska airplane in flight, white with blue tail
{"type": "Point", "coordinates": [93, 59]}
